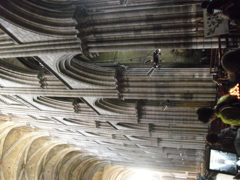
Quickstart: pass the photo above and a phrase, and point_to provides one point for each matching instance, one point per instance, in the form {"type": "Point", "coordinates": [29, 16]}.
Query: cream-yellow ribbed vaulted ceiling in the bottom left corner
{"type": "Point", "coordinates": [31, 154]}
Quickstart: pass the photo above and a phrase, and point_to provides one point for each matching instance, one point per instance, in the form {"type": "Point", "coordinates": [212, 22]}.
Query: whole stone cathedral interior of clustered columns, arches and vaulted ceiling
{"type": "Point", "coordinates": [65, 117]}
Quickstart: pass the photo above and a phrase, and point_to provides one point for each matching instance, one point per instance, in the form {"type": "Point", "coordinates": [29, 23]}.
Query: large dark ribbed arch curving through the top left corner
{"type": "Point", "coordinates": [26, 17]}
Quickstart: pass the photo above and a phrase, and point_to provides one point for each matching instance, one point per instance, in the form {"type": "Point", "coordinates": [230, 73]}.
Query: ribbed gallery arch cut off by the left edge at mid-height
{"type": "Point", "coordinates": [28, 72]}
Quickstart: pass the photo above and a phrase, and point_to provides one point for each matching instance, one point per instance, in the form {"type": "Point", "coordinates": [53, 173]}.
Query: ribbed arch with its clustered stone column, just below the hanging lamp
{"type": "Point", "coordinates": [181, 84]}
